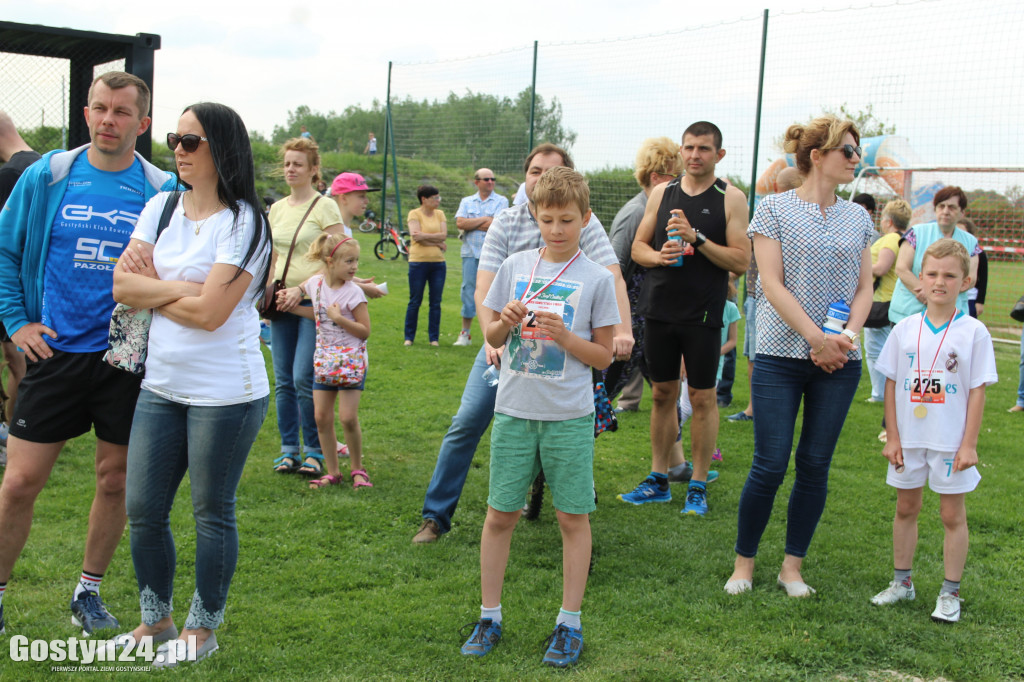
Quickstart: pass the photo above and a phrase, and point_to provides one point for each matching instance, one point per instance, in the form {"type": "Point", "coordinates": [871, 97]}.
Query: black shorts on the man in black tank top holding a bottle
{"type": "Point", "coordinates": [666, 344]}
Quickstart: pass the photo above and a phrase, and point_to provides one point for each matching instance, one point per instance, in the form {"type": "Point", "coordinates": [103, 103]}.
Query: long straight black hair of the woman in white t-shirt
{"type": "Point", "coordinates": [233, 157]}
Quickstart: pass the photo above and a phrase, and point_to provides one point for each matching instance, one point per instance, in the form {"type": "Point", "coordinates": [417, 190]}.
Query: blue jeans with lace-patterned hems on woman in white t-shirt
{"type": "Point", "coordinates": [212, 445]}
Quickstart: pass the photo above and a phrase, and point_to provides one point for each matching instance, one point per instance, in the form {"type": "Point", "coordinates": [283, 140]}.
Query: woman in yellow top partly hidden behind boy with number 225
{"type": "Point", "coordinates": [895, 219]}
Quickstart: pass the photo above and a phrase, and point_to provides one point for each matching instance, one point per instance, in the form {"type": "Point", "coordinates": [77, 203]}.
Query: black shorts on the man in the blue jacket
{"type": "Point", "coordinates": [64, 397]}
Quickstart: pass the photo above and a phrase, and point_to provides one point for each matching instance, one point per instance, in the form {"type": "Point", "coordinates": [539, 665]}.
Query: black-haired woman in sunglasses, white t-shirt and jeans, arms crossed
{"type": "Point", "coordinates": [206, 392]}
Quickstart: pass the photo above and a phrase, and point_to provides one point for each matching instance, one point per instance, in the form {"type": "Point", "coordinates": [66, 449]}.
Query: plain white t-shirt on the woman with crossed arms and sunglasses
{"type": "Point", "coordinates": [193, 366]}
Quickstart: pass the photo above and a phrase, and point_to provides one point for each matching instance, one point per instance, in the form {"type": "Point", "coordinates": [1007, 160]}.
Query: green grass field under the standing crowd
{"type": "Point", "coordinates": [329, 586]}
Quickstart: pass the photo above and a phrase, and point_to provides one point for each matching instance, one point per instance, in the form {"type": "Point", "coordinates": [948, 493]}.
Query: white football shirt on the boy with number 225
{"type": "Point", "coordinates": [966, 361]}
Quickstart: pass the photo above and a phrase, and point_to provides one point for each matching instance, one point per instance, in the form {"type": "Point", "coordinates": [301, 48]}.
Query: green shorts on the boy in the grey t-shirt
{"type": "Point", "coordinates": [521, 448]}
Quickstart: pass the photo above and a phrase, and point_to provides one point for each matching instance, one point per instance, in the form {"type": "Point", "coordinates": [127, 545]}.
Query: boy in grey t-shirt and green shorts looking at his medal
{"type": "Point", "coordinates": [557, 310]}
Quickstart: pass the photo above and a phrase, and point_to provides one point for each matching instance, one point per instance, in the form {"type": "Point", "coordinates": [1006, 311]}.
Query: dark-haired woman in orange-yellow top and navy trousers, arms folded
{"type": "Point", "coordinates": [429, 230]}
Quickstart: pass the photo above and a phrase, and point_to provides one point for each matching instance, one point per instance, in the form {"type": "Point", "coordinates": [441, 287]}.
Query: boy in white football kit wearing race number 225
{"type": "Point", "coordinates": [937, 365]}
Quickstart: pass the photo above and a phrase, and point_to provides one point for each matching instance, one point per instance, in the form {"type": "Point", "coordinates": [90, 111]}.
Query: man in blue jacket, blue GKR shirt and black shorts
{"type": "Point", "coordinates": [62, 232]}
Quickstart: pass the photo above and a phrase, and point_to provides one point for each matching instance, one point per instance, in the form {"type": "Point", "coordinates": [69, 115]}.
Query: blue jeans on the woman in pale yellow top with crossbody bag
{"type": "Point", "coordinates": [292, 343]}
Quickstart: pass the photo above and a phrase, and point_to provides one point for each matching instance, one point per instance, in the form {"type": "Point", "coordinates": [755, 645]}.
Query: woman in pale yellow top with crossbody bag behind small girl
{"type": "Point", "coordinates": [292, 337]}
